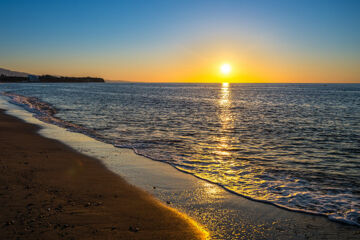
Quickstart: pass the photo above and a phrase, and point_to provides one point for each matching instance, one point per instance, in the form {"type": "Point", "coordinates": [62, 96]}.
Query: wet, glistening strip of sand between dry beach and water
{"type": "Point", "coordinates": [225, 215]}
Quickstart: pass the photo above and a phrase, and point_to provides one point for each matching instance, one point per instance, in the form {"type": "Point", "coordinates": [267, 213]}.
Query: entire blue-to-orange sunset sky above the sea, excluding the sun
{"type": "Point", "coordinates": [308, 41]}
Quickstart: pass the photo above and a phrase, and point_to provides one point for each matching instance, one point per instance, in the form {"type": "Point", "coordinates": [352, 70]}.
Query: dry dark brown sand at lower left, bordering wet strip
{"type": "Point", "coordinates": [49, 191]}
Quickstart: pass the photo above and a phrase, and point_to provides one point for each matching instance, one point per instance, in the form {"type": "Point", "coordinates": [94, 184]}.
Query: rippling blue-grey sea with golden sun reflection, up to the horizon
{"type": "Point", "coordinates": [296, 146]}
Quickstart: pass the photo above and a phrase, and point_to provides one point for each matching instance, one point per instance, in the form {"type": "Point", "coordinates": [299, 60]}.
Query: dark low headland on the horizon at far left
{"type": "Point", "coordinates": [8, 76]}
